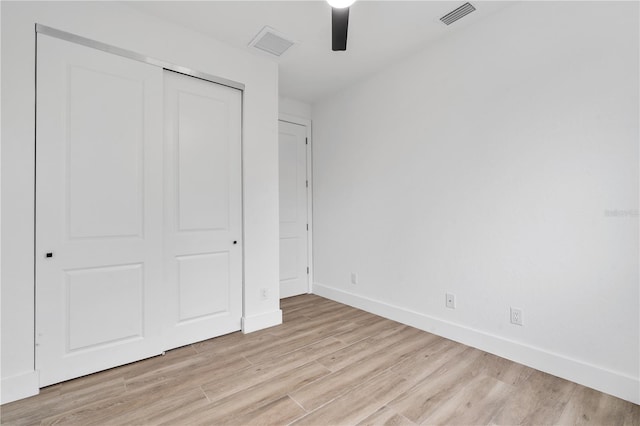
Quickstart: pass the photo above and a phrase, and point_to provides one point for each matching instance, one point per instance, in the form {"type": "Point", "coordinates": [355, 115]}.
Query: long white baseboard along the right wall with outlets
{"type": "Point", "coordinates": [604, 380]}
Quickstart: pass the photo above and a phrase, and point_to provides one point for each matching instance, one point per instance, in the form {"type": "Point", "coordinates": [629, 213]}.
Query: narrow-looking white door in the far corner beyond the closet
{"type": "Point", "coordinates": [293, 210]}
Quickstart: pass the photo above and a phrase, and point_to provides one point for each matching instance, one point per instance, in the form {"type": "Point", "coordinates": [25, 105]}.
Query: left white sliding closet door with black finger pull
{"type": "Point", "coordinates": [98, 194]}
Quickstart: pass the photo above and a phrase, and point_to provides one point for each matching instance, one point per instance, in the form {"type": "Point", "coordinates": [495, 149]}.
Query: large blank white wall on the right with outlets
{"type": "Point", "coordinates": [489, 166]}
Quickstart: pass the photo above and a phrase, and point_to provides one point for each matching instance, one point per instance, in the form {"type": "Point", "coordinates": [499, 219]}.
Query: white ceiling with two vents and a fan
{"type": "Point", "coordinates": [380, 33]}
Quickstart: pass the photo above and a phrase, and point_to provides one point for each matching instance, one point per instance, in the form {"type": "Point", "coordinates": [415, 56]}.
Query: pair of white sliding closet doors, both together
{"type": "Point", "coordinates": [138, 208]}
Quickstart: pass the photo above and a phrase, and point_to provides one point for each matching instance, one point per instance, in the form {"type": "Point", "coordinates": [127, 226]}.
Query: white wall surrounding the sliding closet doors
{"type": "Point", "coordinates": [121, 26]}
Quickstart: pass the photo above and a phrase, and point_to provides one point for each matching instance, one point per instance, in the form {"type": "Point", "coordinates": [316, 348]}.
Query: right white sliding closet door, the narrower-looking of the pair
{"type": "Point", "coordinates": [203, 209]}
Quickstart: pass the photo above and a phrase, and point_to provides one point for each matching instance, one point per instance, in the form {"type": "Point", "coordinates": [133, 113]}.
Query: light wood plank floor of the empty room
{"type": "Point", "coordinates": [327, 364]}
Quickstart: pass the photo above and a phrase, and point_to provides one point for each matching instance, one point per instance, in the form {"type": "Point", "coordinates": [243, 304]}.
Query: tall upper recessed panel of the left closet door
{"type": "Point", "coordinates": [105, 138]}
